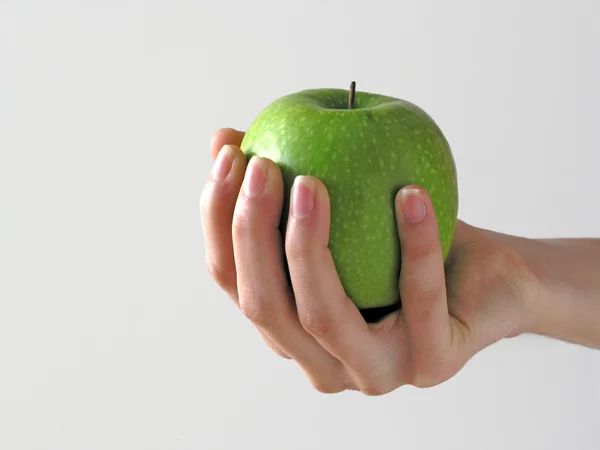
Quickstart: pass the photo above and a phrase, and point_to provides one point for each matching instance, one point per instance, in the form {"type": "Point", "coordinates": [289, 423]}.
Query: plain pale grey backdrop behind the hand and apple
{"type": "Point", "coordinates": [112, 334]}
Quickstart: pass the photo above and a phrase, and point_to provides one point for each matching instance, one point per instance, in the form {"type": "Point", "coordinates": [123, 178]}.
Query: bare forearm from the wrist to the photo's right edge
{"type": "Point", "coordinates": [567, 293]}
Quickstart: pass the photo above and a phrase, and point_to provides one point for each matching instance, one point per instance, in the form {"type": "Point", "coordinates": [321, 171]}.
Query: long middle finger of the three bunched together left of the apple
{"type": "Point", "coordinates": [264, 293]}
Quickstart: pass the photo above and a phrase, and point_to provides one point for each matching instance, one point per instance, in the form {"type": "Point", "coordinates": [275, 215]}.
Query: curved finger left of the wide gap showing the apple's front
{"type": "Point", "coordinates": [324, 309]}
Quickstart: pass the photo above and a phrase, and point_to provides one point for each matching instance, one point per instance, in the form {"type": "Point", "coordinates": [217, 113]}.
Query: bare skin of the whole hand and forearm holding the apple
{"type": "Point", "coordinates": [492, 286]}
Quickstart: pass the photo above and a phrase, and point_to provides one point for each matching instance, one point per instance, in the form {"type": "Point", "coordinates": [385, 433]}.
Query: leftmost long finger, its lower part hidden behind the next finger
{"type": "Point", "coordinates": [217, 205]}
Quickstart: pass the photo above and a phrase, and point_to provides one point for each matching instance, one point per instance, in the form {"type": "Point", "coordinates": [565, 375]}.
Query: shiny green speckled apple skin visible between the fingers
{"type": "Point", "coordinates": [364, 156]}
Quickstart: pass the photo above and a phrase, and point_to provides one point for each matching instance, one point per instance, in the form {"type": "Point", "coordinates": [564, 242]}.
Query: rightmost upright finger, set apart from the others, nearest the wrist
{"type": "Point", "coordinates": [422, 282]}
